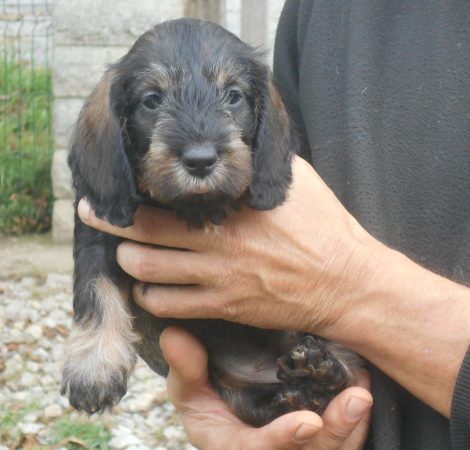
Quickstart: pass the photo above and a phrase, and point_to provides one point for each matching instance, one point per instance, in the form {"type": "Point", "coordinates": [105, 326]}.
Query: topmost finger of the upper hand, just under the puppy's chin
{"type": "Point", "coordinates": [151, 225]}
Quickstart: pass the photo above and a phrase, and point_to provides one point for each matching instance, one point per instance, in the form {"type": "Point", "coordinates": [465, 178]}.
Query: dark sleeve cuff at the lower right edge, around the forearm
{"type": "Point", "coordinates": [460, 414]}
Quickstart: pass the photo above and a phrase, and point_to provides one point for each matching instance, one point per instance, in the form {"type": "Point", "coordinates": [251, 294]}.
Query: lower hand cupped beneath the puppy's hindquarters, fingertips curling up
{"type": "Point", "coordinates": [210, 425]}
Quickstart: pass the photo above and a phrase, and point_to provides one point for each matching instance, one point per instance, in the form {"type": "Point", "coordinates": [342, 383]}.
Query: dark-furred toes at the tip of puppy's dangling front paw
{"type": "Point", "coordinates": [94, 391]}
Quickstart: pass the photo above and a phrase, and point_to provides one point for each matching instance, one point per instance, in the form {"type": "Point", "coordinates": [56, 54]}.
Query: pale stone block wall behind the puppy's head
{"type": "Point", "coordinates": [89, 34]}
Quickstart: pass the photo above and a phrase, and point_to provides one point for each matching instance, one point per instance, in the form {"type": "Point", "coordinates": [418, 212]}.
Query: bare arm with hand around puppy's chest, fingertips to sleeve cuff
{"type": "Point", "coordinates": [307, 265]}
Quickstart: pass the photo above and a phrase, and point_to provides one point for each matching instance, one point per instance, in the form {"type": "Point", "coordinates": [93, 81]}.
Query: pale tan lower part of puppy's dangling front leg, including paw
{"type": "Point", "coordinates": [100, 351]}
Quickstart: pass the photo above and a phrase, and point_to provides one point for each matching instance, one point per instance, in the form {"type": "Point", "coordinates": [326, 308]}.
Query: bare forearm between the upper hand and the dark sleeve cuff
{"type": "Point", "coordinates": [409, 322]}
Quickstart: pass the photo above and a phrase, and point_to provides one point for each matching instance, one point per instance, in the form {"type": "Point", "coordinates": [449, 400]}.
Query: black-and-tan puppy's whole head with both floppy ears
{"type": "Point", "coordinates": [189, 116]}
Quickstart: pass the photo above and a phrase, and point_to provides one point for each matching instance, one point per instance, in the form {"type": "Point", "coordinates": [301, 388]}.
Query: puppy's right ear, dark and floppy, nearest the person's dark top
{"type": "Point", "coordinates": [275, 144]}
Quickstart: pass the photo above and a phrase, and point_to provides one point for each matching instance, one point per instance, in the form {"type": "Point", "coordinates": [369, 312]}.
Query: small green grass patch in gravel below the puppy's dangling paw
{"type": "Point", "coordinates": [74, 434]}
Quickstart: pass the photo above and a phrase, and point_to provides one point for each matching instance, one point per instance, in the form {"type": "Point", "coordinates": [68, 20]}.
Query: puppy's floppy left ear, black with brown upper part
{"type": "Point", "coordinates": [100, 166]}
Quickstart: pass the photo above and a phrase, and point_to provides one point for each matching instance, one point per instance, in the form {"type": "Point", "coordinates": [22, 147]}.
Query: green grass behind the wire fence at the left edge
{"type": "Point", "coordinates": [25, 147]}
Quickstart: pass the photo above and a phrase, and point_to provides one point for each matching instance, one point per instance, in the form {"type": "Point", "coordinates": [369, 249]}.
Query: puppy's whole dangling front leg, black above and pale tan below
{"type": "Point", "coordinates": [100, 354]}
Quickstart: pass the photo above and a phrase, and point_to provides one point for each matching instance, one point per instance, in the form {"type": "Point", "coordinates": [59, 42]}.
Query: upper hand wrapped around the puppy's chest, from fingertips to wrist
{"type": "Point", "coordinates": [295, 267]}
